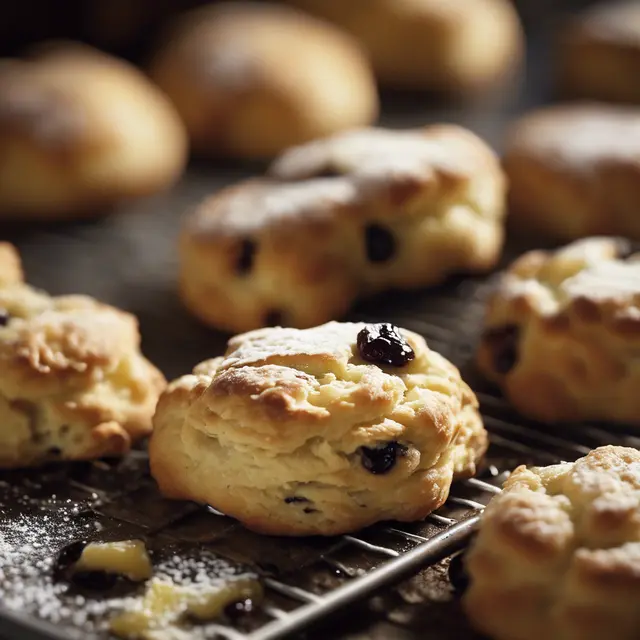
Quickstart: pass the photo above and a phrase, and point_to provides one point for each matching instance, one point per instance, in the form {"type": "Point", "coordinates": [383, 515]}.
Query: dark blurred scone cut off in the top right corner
{"type": "Point", "coordinates": [600, 53]}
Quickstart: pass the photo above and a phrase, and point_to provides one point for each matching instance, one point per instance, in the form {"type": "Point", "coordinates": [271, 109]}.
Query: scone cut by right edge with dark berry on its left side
{"type": "Point", "coordinates": [562, 330]}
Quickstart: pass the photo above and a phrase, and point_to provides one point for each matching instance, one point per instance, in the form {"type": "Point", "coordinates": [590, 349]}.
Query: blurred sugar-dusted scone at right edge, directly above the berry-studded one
{"type": "Point", "coordinates": [574, 171]}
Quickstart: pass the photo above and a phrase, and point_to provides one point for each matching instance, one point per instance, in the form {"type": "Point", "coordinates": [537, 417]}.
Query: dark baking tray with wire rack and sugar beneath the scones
{"type": "Point", "coordinates": [129, 260]}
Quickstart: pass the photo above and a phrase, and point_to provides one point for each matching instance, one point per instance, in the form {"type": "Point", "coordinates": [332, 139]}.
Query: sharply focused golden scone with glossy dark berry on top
{"type": "Point", "coordinates": [318, 431]}
